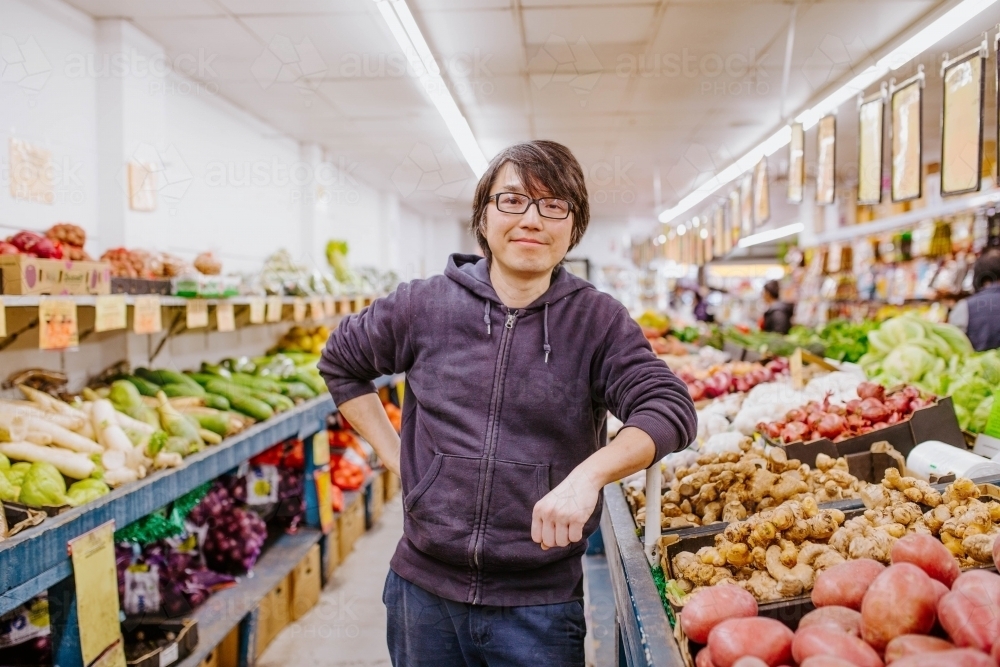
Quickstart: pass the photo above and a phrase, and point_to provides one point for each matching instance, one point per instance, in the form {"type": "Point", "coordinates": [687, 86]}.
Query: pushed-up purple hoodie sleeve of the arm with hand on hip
{"type": "Point", "coordinates": [367, 345]}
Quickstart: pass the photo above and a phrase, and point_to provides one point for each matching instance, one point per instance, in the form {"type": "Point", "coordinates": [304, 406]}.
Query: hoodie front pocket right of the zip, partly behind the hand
{"type": "Point", "coordinates": [508, 545]}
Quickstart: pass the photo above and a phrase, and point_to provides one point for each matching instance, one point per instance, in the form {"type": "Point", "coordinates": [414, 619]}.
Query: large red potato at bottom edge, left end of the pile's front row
{"type": "Point", "coordinates": [764, 638]}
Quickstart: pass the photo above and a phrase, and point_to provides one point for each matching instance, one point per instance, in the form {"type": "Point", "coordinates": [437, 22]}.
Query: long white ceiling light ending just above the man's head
{"type": "Point", "coordinates": [404, 29]}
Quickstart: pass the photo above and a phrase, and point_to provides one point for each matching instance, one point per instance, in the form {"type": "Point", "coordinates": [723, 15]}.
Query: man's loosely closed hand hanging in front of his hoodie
{"type": "Point", "coordinates": [558, 518]}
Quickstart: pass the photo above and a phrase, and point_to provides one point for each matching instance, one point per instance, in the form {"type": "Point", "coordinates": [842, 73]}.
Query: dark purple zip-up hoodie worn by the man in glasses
{"type": "Point", "coordinates": [500, 406]}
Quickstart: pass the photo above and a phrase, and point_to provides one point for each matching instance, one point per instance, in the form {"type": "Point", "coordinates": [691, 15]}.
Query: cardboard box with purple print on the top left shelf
{"type": "Point", "coordinates": [22, 274]}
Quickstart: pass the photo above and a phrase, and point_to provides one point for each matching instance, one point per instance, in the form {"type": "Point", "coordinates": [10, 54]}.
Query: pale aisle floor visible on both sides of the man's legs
{"type": "Point", "coordinates": [347, 627]}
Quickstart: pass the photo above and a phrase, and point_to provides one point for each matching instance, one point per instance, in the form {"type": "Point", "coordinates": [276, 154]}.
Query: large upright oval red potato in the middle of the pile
{"type": "Point", "coordinates": [901, 601]}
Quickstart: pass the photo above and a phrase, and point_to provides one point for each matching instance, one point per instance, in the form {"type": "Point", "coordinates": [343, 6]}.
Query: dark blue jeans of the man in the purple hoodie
{"type": "Point", "coordinates": [425, 629]}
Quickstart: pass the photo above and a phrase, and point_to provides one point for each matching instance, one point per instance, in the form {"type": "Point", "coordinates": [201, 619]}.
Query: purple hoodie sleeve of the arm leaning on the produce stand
{"type": "Point", "coordinates": [641, 391]}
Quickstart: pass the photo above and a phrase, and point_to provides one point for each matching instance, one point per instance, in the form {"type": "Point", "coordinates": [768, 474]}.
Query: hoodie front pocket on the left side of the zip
{"type": "Point", "coordinates": [440, 510]}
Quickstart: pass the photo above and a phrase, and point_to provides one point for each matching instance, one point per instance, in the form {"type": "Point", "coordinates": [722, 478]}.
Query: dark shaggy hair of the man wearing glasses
{"type": "Point", "coordinates": [544, 167]}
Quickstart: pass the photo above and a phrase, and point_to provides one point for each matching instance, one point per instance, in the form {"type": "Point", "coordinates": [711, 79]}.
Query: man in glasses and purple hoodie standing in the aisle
{"type": "Point", "coordinates": [511, 366]}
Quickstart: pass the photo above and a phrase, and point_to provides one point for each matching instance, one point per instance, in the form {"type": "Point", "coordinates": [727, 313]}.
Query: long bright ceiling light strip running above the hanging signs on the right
{"type": "Point", "coordinates": [937, 30]}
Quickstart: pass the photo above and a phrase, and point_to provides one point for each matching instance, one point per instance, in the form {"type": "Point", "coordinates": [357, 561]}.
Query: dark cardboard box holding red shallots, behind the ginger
{"type": "Point", "coordinates": [936, 422]}
